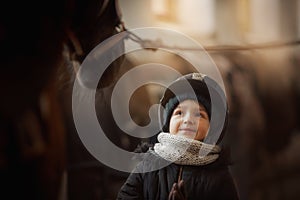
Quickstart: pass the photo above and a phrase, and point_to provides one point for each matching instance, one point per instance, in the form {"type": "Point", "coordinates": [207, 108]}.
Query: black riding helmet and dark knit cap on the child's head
{"type": "Point", "coordinates": [199, 87]}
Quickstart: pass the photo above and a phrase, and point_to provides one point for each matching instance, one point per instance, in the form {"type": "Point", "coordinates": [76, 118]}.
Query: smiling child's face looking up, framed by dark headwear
{"type": "Point", "coordinates": [189, 119]}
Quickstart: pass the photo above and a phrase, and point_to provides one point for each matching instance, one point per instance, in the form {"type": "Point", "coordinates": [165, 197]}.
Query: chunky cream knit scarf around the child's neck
{"type": "Point", "coordinates": [185, 151]}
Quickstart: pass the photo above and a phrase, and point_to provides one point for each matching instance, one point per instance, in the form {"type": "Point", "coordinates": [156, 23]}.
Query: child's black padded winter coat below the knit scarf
{"type": "Point", "coordinates": [209, 182]}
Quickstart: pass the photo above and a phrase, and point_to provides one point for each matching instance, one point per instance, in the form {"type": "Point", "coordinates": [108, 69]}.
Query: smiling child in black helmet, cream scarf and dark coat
{"type": "Point", "coordinates": [198, 167]}
